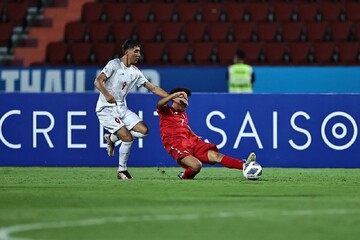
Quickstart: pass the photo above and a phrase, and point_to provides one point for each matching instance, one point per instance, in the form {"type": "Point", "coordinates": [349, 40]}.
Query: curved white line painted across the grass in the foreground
{"type": "Point", "coordinates": [6, 232]}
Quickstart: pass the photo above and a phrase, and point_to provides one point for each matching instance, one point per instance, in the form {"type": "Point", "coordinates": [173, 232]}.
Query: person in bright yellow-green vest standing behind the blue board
{"type": "Point", "coordinates": [241, 77]}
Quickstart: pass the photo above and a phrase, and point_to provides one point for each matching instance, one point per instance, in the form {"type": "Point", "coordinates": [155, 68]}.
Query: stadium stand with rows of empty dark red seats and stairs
{"type": "Point", "coordinates": [272, 32]}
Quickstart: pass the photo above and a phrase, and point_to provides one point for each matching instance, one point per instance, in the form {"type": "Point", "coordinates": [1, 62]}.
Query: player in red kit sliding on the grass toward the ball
{"type": "Point", "coordinates": [183, 144]}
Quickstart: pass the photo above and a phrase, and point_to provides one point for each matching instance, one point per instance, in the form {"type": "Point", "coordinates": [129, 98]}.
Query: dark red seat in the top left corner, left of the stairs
{"type": "Point", "coordinates": [16, 12]}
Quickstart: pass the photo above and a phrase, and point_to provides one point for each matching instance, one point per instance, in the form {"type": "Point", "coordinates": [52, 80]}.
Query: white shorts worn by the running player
{"type": "Point", "coordinates": [114, 118]}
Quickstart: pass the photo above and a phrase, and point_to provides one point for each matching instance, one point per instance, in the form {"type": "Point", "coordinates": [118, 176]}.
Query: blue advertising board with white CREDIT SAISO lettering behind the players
{"type": "Point", "coordinates": [285, 130]}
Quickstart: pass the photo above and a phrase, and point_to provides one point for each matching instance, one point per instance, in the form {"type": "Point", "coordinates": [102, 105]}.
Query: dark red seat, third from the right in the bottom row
{"type": "Point", "coordinates": [299, 52]}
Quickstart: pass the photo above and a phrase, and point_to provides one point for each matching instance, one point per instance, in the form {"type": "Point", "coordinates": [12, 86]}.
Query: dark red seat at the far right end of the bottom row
{"type": "Point", "coordinates": [349, 52]}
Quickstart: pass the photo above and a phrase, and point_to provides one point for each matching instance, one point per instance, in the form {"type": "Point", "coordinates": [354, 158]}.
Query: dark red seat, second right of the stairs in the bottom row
{"type": "Point", "coordinates": [80, 53]}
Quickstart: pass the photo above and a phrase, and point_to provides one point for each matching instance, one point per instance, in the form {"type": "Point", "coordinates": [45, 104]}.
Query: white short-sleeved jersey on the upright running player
{"type": "Point", "coordinates": [120, 80]}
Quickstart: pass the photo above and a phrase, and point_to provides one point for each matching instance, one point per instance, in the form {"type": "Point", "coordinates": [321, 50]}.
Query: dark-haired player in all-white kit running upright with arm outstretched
{"type": "Point", "coordinates": [114, 83]}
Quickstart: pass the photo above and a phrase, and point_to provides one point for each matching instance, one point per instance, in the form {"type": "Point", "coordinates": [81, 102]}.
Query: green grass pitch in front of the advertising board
{"type": "Point", "coordinates": [90, 203]}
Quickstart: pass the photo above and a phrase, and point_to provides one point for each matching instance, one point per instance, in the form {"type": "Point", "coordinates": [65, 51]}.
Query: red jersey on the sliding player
{"type": "Point", "coordinates": [173, 123]}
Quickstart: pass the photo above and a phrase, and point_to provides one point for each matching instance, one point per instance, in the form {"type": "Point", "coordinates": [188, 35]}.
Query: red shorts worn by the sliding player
{"type": "Point", "coordinates": [179, 148]}
